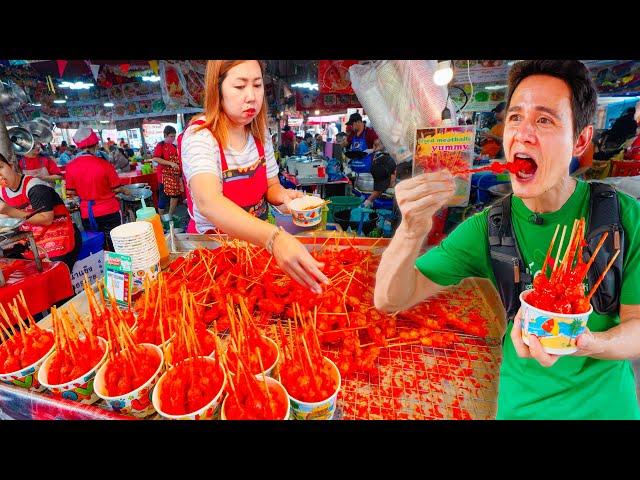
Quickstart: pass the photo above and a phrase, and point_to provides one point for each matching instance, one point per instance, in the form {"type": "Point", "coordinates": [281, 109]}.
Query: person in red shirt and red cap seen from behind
{"type": "Point", "coordinates": [95, 181]}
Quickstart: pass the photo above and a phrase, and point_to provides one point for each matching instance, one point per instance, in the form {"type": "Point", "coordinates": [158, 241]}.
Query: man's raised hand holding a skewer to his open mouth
{"type": "Point", "coordinates": [420, 197]}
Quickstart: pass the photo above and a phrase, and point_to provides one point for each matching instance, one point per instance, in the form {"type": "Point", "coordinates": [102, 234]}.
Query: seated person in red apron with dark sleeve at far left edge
{"type": "Point", "coordinates": [52, 228]}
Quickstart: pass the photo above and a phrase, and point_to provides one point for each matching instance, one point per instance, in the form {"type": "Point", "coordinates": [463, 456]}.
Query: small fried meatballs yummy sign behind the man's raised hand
{"type": "Point", "coordinates": [438, 148]}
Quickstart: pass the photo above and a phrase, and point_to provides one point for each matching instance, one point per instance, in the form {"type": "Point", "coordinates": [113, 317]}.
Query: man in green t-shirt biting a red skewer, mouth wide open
{"type": "Point", "coordinates": [549, 111]}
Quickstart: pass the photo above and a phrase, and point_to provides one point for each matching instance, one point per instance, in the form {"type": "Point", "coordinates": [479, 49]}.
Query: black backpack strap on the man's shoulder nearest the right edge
{"type": "Point", "coordinates": [604, 216]}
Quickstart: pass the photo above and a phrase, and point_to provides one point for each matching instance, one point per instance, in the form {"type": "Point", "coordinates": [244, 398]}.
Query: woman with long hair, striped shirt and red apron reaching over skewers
{"type": "Point", "coordinates": [231, 172]}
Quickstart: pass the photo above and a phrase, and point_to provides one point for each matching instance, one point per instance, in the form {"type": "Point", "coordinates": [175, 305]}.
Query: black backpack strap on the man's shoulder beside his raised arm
{"type": "Point", "coordinates": [508, 266]}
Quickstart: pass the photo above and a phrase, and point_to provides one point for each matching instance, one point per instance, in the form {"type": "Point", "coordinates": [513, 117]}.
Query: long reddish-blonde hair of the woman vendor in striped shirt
{"type": "Point", "coordinates": [216, 120]}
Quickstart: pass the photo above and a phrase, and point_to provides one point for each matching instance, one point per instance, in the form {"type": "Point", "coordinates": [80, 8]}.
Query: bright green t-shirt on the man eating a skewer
{"type": "Point", "coordinates": [574, 387]}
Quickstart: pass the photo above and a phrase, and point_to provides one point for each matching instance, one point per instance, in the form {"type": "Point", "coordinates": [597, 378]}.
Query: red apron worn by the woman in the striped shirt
{"type": "Point", "coordinates": [246, 187]}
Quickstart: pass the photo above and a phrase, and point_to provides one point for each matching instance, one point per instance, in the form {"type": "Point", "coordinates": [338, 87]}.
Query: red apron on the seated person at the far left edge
{"type": "Point", "coordinates": [56, 239]}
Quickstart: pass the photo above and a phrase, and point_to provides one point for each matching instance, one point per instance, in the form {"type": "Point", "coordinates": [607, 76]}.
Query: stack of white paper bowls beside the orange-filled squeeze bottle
{"type": "Point", "coordinates": [137, 240]}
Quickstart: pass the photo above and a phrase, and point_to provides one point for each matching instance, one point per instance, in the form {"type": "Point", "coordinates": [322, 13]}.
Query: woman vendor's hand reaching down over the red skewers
{"type": "Point", "coordinates": [297, 262]}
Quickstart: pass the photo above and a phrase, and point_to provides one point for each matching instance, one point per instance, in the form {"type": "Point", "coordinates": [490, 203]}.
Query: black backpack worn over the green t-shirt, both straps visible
{"type": "Point", "coordinates": [512, 275]}
